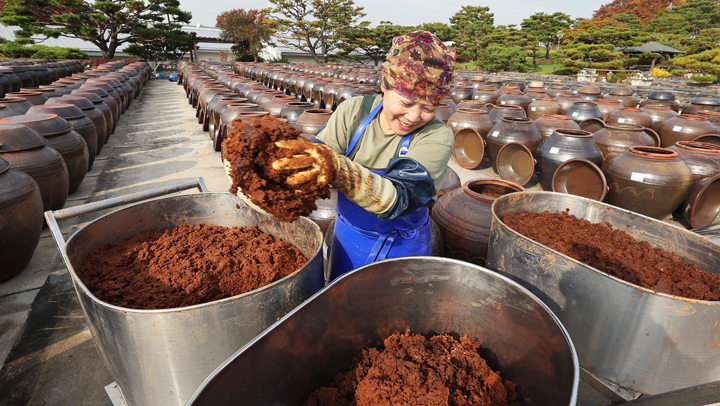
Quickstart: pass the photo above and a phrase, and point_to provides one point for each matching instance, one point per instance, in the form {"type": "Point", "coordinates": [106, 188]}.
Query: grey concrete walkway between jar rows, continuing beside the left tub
{"type": "Point", "coordinates": [46, 351]}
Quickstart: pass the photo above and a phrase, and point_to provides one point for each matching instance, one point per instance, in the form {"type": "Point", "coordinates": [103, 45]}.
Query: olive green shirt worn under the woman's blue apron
{"type": "Point", "coordinates": [431, 145]}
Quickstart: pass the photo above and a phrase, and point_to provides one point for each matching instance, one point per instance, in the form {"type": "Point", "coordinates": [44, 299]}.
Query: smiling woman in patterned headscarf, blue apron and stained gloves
{"type": "Point", "coordinates": [386, 155]}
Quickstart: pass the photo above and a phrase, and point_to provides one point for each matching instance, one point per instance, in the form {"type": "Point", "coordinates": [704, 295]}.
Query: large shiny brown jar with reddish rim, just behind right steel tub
{"type": "Point", "coordinates": [648, 180]}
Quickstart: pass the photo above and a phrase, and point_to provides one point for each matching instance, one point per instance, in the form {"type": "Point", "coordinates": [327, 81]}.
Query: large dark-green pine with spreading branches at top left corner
{"type": "Point", "coordinates": [105, 23]}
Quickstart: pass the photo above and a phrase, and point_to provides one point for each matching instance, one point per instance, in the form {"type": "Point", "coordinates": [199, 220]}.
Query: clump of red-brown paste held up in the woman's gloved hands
{"type": "Point", "coordinates": [251, 150]}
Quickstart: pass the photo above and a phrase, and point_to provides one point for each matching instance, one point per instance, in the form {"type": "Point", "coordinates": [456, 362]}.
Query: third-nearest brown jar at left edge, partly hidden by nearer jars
{"type": "Point", "coordinates": [61, 137]}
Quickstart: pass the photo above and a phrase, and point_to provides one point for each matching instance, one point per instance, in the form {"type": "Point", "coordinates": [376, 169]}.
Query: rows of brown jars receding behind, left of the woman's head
{"type": "Point", "coordinates": [303, 95]}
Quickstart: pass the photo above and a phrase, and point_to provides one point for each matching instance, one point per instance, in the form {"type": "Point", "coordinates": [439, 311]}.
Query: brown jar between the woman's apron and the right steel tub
{"type": "Point", "coordinates": [464, 218]}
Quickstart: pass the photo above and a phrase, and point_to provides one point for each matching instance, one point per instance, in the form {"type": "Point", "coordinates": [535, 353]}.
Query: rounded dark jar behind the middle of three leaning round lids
{"type": "Point", "coordinates": [511, 129]}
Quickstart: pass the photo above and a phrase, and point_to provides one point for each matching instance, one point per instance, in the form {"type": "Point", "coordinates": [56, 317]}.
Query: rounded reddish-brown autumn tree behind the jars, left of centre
{"type": "Point", "coordinates": [248, 30]}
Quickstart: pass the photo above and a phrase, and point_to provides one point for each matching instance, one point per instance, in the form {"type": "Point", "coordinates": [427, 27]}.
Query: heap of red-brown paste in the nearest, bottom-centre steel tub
{"type": "Point", "coordinates": [412, 370]}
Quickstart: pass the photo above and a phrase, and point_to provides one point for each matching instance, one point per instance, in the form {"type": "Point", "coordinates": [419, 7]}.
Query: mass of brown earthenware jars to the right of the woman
{"type": "Point", "coordinates": [650, 159]}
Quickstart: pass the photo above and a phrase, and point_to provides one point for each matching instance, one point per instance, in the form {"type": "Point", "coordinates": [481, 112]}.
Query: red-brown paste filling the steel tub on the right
{"type": "Point", "coordinates": [616, 253]}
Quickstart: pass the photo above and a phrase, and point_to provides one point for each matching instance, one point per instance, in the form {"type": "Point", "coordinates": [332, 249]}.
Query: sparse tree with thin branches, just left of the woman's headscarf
{"type": "Point", "coordinates": [315, 26]}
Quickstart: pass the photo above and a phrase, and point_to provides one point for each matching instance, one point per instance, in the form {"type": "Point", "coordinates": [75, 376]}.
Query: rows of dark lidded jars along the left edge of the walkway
{"type": "Point", "coordinates": [49, 137]}
